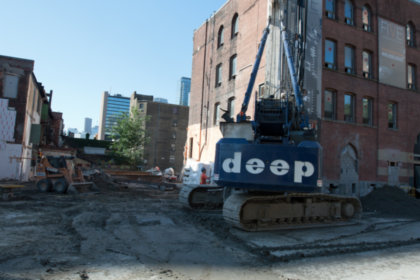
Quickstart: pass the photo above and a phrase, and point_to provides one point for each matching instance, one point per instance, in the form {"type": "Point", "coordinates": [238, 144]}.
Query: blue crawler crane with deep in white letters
{"type": "Point", "coordinates": [270, 168]}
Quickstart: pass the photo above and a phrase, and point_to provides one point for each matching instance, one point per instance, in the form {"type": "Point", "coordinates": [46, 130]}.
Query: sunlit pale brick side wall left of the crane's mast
{"type": "Point", "coordinates": [203, 131]}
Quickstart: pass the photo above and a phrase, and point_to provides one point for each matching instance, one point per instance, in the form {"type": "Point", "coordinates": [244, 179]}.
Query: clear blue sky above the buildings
{"type": "Point", "coordinates": [84, 47]}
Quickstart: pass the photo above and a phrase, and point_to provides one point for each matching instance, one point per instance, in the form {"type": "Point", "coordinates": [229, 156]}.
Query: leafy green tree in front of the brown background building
{"type": "Point", "coordinates": [129, 137]}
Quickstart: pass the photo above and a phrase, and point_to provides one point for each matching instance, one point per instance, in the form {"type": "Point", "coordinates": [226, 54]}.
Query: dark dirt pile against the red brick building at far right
{"type": "Point", "coordinates": [391, 201]}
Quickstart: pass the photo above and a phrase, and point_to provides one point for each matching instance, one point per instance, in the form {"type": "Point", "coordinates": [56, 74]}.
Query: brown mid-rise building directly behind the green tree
{"type": "Point", "coordinates": [167, 129]}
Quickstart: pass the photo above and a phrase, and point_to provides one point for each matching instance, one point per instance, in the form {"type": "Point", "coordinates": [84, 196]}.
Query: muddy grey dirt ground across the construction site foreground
{"type": "Point", "coordinates": [138, 231]}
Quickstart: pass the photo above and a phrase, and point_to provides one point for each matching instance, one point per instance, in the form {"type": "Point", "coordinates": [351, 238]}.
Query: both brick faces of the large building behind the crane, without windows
{"type": "Point", "coordinates": [376, 152]}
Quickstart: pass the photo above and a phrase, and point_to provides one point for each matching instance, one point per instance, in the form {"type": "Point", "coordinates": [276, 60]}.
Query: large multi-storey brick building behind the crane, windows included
{"type": "Point", "coordinates": [366, 99]}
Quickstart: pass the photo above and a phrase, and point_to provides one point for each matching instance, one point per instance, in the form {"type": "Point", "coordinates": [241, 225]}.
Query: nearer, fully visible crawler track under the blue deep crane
{"type": "Point", "coordinates": [296, 210]}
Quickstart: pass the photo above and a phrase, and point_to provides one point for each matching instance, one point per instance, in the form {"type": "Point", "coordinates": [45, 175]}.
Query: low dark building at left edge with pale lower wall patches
{"type": "Point", "coordinates": [23, 102]}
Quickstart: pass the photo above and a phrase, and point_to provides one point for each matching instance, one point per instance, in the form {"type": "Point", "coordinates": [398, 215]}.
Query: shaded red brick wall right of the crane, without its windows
{"type": "Point", "coordinates": [368, 140]}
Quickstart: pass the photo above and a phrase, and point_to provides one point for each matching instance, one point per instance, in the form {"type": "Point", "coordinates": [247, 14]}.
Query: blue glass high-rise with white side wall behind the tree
{"type": "Point", "coordinates": [112, 107]}
